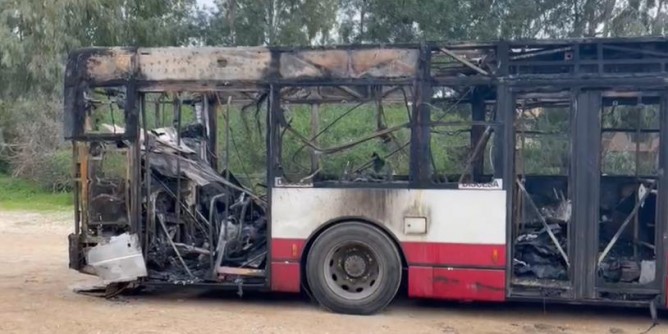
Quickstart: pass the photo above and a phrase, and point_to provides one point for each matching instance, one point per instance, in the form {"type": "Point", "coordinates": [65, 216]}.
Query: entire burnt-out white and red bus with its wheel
{"type": "Point", "coordinates": [491, 172]}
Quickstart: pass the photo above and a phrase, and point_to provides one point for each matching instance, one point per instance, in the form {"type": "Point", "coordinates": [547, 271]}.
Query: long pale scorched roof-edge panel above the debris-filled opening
{"type": "Point", "coordinates": [205, 64]}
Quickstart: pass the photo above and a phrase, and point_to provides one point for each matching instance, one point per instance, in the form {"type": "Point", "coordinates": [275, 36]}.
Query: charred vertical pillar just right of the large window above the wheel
{"type": "Point", "coordinates": [420, 158]}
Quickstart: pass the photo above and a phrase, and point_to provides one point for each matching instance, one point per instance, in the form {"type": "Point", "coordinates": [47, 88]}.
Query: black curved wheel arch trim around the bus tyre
{"type": "Point", "coordinates": [337, 221]}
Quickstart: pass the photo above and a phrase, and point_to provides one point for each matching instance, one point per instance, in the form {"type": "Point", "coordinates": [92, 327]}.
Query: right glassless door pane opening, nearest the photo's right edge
{"type": "Point", "coordinates": [629, 173]}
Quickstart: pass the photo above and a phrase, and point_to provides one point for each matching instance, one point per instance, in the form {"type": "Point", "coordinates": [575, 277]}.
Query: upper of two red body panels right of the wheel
{"type": "Point", "coordinates": [455, 255]}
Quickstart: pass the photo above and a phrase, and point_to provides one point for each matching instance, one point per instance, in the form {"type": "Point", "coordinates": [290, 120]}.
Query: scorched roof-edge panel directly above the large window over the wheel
{"type": "Point", "coordinates": [349, 64]}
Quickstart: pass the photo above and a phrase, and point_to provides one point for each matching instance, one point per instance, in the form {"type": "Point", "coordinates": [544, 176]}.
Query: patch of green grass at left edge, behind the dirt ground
{"type": "Point", "coordinates": [17, 194]}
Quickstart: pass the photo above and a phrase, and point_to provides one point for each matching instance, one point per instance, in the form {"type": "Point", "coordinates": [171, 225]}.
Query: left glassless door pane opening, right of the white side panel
{"type": "Point", "coordinates": [542, 202]}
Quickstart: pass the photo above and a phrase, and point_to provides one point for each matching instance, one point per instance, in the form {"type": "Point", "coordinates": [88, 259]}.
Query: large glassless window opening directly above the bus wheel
{"type": "Point", "coordinates": [363, 142]}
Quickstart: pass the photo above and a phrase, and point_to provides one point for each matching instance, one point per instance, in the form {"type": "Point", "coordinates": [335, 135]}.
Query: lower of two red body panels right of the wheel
{"type": "Point", "coordinates": [457, 284]}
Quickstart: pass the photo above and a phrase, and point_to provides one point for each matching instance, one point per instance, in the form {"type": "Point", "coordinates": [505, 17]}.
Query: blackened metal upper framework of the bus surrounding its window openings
{"type": "Point", "coordinates": [477, 74]}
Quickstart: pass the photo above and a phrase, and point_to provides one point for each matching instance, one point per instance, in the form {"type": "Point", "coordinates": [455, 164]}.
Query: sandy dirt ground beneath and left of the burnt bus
{"type": "Point", "coordinates": [36, 297]}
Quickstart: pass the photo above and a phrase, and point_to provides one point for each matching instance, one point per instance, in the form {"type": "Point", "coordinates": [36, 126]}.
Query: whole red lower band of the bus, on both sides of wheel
{"type": "Point", "coordinates": [424, 280]}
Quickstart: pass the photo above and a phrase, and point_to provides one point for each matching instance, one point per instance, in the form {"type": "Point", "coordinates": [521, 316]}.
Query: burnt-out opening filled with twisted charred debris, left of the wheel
{"type": "Point", "coordinates": [199, 220]}
